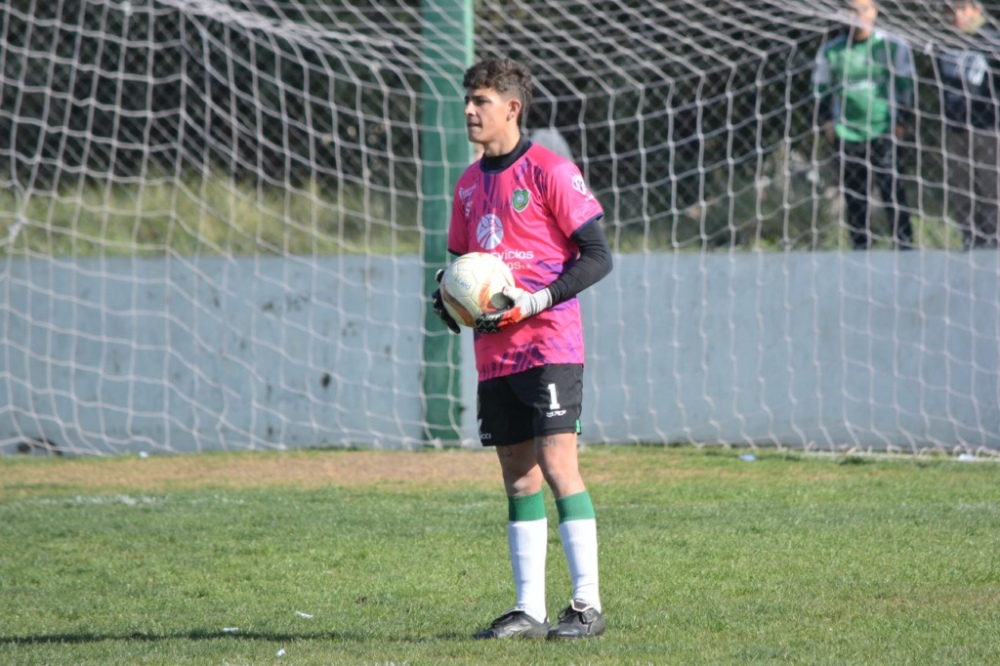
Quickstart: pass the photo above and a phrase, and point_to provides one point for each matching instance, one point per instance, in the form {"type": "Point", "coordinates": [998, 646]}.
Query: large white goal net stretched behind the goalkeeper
{"type": "Point", "coordinates": [215, 220]}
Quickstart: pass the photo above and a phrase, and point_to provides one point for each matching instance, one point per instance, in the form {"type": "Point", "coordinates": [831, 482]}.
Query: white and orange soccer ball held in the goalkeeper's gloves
{"type": "Point", "coordinates": [471, 286]}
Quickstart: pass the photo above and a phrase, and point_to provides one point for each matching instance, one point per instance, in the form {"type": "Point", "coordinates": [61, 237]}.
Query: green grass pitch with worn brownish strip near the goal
{"type": "Point", "coordinates": [351, 557]}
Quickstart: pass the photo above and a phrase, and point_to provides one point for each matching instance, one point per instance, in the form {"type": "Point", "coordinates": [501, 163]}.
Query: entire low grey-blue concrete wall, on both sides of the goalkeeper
{"type": "Point", "coordinates": [822, 350]}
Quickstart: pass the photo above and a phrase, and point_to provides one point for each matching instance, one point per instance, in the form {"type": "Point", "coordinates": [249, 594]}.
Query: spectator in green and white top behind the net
{"type": "Point", "coordinates": [863, 81]}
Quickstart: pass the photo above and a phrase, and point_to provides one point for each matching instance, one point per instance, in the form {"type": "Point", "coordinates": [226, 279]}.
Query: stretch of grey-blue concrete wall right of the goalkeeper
{"type": "Point", "coordinates": [819, 350]}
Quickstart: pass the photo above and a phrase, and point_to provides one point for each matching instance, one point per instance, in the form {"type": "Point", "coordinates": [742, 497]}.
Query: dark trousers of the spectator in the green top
{"type": "Point", "coordinates": [862, 165]}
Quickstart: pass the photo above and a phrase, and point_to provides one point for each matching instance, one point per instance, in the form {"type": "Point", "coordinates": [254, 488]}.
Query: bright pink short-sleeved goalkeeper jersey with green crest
{"type": "Point", "coordinates": [525, 215]}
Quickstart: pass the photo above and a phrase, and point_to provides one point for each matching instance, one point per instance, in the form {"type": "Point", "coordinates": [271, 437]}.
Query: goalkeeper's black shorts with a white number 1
{"type": "Point", "coordinates": [546, 400]}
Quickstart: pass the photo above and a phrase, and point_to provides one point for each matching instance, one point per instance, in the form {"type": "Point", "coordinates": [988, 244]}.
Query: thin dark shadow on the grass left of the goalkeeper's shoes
{"type": "Point", "coordinates": [277, 637]}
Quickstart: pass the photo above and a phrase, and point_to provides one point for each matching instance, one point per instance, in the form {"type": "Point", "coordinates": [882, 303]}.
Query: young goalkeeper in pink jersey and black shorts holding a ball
{"type": "Point", "coordinates": [531, 207]}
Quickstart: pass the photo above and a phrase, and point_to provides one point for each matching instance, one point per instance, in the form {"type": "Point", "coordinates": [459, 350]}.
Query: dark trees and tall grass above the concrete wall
{"type": "Point", "coordinates": [694, 123]}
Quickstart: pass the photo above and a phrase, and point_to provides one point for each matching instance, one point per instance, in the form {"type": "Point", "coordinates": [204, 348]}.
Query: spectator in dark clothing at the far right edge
{"type": "Point", "coordinates": [970, 78]}
